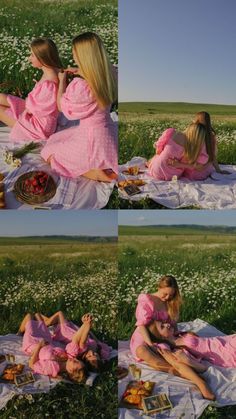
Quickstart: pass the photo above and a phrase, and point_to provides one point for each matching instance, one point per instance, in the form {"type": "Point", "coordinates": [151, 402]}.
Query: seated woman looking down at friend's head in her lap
{"type": "Point", "coordinates": [162, 308]}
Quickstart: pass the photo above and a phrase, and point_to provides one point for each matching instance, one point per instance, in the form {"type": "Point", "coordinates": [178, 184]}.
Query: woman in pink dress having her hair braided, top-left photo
{"type": "Point", "coordinates": [36, 117]}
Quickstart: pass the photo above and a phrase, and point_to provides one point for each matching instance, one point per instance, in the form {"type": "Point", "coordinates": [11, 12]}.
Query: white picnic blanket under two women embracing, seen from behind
{"type": "Point", "coordinates": [216, 192]}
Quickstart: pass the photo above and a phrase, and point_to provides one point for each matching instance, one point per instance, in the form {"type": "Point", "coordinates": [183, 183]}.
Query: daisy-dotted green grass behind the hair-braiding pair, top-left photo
{"type": "Point", "coordinates": [21, 22]}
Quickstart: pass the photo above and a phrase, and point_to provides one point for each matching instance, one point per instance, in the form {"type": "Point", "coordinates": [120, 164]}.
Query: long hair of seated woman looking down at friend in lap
{"type": "Point", "coordinates": [173, 306]}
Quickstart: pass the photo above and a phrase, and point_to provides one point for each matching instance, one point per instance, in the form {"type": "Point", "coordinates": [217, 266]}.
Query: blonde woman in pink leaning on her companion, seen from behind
{"type": "Point", "coordinates": [178, 151]}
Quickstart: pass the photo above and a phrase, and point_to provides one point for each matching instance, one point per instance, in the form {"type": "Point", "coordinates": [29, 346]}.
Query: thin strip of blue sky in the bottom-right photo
{"type": "Point", "coordinates": [168, 217]}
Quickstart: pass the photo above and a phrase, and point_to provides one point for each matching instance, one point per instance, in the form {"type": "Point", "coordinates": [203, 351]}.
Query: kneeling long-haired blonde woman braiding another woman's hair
{"type": "Point", "coordinates": [90, 148]}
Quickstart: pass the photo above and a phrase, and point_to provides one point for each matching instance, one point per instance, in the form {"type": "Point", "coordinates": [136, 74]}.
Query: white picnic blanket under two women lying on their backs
{"type": "Point", "coordinates": [11, 344]}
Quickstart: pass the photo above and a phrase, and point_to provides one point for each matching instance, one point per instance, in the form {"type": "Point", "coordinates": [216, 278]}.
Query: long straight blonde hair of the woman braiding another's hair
{"type": "Point", "coordinates": [95, 67]}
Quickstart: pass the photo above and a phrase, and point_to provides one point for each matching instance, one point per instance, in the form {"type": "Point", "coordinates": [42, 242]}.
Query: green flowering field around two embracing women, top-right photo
{"type": "Point", "coordinates": [142, 123]}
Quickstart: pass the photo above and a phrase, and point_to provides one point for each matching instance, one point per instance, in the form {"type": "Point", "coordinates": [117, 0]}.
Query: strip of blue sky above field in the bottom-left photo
{"type": "Point", "coordinates": [91, 223]}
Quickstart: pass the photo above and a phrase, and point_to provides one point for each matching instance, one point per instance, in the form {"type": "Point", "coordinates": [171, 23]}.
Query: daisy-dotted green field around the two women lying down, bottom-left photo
{"type": "Point", "coordinates": [73, 276]}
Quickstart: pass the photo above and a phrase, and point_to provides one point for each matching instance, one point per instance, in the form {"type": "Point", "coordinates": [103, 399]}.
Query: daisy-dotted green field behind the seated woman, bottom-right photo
{"type": "Point", "coordinates": [203, 263]}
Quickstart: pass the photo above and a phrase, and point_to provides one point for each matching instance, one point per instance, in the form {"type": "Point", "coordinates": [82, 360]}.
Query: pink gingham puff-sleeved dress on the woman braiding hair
{"type": "Point", "coordinates": [90, 145]}
